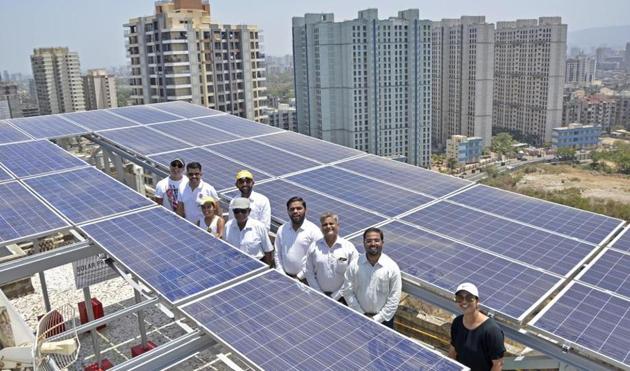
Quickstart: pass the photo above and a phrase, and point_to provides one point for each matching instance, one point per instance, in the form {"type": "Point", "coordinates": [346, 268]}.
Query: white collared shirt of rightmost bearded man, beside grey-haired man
{"type": "Point", "coordinates": [373, 289]}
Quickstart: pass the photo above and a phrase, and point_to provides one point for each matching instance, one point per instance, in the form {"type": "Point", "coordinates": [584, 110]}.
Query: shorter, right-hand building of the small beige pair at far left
{"type": "Point", "coordinates": [100, 90]}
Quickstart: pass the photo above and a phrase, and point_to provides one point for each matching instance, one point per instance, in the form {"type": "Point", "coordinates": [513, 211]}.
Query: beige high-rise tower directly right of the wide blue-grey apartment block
{"type": "Point", "coordinates": [463, 73]}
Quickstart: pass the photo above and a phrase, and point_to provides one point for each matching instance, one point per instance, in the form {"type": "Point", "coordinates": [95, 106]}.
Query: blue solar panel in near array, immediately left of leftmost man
{"type": "Point", "coordinates": [86, 194]}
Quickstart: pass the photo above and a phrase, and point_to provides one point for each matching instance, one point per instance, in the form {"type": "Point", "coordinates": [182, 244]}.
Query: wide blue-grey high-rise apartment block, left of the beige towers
{"type": "Point", "coordinates": [366, 83]}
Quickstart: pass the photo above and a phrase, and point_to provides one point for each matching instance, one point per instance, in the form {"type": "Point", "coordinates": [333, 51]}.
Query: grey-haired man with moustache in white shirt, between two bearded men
{"type": "Point", "coordinates": [328, 258]}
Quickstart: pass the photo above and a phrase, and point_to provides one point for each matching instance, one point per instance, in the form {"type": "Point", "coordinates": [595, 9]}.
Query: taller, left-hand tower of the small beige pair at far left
{"type": "Point", "coordinates": [57, 75]}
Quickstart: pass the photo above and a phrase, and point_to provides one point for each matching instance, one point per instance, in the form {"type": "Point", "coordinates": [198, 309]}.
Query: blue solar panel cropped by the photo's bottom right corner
{"type": "Point", "coordinates": [570, 337]}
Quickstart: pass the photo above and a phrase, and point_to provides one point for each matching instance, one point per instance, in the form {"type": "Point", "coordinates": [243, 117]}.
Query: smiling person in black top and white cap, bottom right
{"type": "Point", "coordinates": [476, 339]}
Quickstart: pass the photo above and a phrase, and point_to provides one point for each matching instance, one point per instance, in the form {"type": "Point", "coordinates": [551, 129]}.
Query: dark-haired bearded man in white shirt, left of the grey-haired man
{"type": "Point", "coordinates": [293, 240]}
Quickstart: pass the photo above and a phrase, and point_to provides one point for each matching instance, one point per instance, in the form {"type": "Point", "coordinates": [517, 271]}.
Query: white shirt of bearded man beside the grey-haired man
{"type": "Point", "coordinates": [292, 246]}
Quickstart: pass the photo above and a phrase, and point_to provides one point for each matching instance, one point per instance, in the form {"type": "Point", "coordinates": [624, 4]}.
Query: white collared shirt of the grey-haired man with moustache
{"type": "Point", "coordinates": [326, 266]}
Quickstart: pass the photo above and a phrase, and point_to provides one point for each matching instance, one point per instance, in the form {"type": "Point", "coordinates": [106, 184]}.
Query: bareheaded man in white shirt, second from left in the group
{"type": "Point", "coordinates": [189, 201]}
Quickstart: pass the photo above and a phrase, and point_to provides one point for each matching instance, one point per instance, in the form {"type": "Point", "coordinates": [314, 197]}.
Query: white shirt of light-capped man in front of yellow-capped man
{"type": "Point", "coordinates": [253, 239]}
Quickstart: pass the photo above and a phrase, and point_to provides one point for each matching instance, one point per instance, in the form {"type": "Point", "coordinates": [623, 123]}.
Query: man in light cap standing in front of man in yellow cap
{"type": "Point", "coordinates": [247, 234]}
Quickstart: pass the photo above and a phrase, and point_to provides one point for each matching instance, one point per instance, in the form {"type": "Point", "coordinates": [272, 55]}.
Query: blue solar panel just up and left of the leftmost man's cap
{"type": "Point", "coordinates": [143, 140]}
